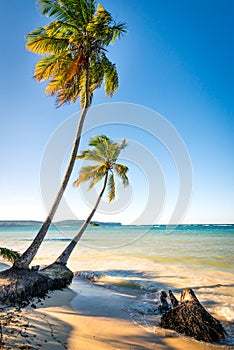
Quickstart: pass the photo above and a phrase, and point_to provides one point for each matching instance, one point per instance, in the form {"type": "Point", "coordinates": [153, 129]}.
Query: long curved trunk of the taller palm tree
{"type": "Point", "coordinates": [26, 258]}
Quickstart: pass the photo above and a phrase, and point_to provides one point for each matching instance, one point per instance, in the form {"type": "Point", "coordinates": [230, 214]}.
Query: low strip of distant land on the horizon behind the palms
{"type": "Point", "coordinates": [14, 223]}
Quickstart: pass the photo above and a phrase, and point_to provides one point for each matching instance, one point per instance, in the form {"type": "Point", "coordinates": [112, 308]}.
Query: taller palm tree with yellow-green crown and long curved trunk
{"type": "Point", "coordinates": [75, 63]}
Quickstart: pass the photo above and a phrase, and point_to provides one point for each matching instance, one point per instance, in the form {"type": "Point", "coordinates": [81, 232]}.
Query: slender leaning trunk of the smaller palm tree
{"type": "Point", "coordinates": [63, 258]}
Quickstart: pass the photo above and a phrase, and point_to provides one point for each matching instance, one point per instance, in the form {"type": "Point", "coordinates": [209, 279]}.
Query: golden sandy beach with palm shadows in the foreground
{"type": "Point", "coordinates": [92, 318]}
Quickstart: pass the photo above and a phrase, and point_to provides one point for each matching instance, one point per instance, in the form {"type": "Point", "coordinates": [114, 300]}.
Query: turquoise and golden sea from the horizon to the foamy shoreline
{"type": "Point", "coordinates": [146, 260]}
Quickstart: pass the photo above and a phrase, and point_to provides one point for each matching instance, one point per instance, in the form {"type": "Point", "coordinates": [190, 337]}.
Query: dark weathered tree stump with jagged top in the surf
{"type": "Point", "coordinates": [191, 319]}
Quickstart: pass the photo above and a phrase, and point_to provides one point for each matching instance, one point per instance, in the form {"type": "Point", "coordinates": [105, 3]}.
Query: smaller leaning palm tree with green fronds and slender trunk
{"type": "Point", "coordinates": [105, 153]}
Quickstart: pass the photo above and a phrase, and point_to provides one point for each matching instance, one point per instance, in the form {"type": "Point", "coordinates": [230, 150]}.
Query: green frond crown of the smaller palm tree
{"type": "Point", "coordinates": [105, 152]}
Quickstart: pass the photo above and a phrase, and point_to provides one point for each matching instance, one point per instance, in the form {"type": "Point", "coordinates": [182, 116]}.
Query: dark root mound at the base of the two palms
{"type": "Point", "coordinates": [18, 286]}
